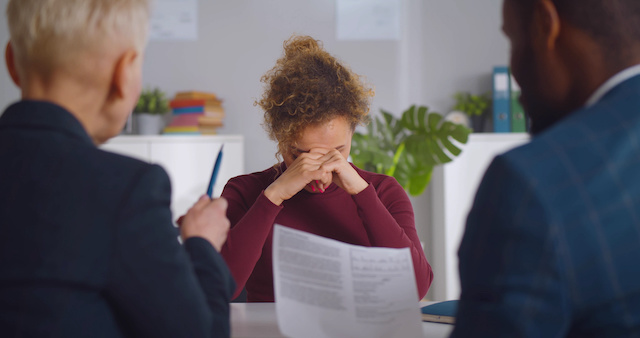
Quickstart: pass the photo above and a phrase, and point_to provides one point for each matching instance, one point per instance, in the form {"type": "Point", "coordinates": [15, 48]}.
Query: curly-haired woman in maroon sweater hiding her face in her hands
{"type": "Point", "coordinates": [312, 105]}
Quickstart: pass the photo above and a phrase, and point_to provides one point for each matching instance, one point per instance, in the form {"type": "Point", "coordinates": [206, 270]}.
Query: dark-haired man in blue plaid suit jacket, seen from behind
{"type": "Point", "coordinates": [552, 243]}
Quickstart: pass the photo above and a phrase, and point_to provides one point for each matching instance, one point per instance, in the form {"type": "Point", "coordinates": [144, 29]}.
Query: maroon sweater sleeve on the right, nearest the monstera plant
{"type": "Point", "coordinates": [388, 216]}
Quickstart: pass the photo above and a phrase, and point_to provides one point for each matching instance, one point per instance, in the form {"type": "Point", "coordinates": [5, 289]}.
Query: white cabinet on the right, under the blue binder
{"type": "Point", "coordinates": [453, 188]}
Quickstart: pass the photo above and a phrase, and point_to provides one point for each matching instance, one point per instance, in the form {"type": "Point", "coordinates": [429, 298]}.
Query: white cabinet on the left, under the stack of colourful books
{"type": "Point", "coordinates": [188, 160]}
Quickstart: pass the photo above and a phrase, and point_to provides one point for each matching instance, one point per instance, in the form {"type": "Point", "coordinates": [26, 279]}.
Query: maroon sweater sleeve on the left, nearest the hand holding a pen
{"type": "Point", "coordinates": [251, 222]}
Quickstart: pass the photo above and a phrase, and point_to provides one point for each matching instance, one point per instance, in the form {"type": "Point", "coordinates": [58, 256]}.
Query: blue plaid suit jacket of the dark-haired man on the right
{"type": "Point", "coordinates": [552, 243]}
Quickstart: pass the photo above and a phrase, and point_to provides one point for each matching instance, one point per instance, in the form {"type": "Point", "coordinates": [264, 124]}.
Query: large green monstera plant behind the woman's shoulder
{"type": "Point", "coordinates": [408, 148]}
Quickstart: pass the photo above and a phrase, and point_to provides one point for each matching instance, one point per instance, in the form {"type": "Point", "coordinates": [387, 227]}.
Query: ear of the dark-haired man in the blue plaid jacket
{"type": "Point", "coordinates": [547, 24]}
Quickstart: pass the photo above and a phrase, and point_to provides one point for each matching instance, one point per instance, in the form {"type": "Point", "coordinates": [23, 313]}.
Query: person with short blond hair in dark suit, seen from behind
{"type": "Point", "coordinates": [88, 248]}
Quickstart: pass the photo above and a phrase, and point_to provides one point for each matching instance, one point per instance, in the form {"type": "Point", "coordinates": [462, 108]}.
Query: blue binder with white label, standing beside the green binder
{"type": "Point", "coordinates": [501, 100]}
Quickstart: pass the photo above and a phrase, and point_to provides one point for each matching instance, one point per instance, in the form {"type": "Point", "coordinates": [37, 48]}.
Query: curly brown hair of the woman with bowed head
{"type": "Point", "coordinates": [307, 87]}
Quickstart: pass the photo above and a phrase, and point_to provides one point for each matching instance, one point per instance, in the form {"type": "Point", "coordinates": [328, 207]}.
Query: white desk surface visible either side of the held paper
{"type": "Point", "coordinates": [258, 320]}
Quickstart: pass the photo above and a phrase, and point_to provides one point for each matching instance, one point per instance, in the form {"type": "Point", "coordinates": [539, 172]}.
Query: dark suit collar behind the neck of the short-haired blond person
{"type": "Point", "coordinates": [43, 115]}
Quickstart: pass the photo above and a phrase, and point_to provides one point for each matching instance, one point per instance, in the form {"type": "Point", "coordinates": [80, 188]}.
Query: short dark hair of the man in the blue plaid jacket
{"type": "Point", "coordinates": [612, 23]}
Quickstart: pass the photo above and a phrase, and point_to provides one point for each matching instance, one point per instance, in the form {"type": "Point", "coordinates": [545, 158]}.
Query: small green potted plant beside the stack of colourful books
{"type": "Point", "coordinates": [149, 112]}
